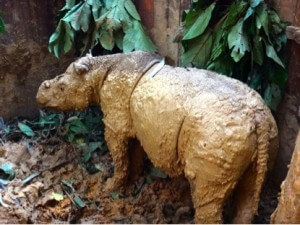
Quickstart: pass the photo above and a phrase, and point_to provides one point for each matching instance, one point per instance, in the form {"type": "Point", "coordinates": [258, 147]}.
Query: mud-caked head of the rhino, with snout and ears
{"type": "Point", "coordinates": [71, 90]}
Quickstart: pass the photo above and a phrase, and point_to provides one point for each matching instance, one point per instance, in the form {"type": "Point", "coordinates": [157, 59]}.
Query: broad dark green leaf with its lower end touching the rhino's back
{"type": "Point", "coordinates": [199, 50]}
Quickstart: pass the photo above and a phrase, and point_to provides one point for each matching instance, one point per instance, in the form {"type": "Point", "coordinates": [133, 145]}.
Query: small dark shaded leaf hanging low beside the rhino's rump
{"type": "Point", "coordinates": [272, 96]}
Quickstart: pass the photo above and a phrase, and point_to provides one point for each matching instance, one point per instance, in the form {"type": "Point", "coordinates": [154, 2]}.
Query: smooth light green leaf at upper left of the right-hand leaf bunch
{"type": "Point", "coordinates": [200, 24]}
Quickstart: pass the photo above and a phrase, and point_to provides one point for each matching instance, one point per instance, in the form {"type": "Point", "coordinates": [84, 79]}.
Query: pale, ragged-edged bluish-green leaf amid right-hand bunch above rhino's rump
{"type": "Point", "coordinates": [238, 41]}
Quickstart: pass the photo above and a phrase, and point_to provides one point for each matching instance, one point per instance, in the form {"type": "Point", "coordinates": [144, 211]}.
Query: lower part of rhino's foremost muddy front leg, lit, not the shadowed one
{"type": "Point", "coordinates": [117, 145]}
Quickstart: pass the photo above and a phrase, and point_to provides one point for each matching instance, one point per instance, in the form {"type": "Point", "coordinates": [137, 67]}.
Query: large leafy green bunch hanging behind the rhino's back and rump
{"type": "Point", "coordinates": [242, 39]}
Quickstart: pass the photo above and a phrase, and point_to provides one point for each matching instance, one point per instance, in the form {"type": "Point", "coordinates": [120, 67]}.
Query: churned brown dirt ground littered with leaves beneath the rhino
{"type": "Point", "coordinates": [45, 199]}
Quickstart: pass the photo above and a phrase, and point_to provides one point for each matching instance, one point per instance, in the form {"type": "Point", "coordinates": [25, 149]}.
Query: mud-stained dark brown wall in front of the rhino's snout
{"type": "Point", "coordinates": [24, 58]}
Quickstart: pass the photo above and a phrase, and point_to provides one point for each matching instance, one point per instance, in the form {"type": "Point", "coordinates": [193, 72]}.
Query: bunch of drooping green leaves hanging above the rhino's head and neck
{"type": "Point", "coordinates": [84, 24]}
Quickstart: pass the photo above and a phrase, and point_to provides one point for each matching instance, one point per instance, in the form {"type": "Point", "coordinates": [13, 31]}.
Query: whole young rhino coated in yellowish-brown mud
{"type": "Point", "coordinates": [213, 129]}
